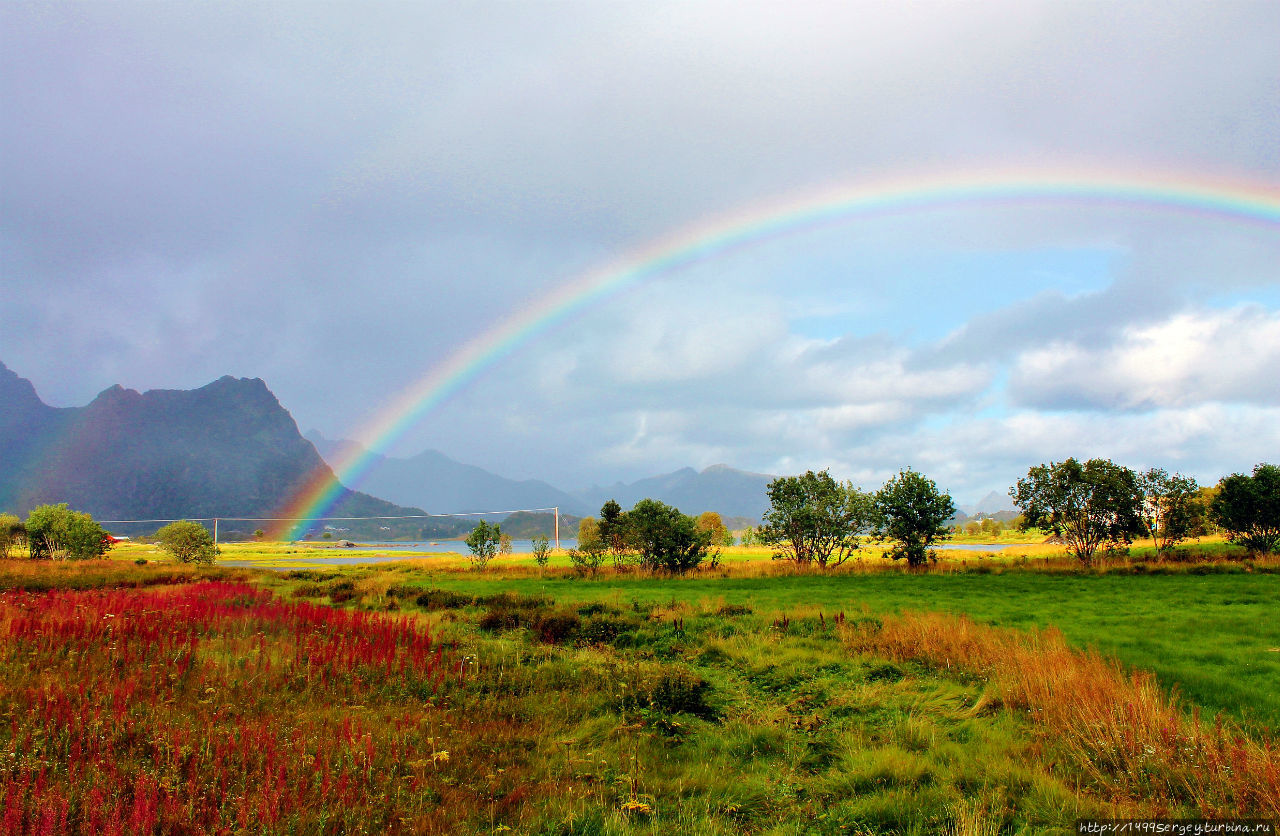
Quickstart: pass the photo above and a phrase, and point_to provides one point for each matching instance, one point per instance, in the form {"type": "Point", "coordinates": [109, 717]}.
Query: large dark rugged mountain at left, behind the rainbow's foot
{"type": "Point", "coordinates": [225, 450]}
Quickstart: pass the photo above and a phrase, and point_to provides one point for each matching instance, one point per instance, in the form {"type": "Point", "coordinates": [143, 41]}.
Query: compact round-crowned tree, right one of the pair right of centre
{"type": "Point", "coordinates": [913, 513]}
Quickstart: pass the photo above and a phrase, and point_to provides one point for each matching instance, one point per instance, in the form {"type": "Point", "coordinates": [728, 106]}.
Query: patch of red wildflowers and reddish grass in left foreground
{"type": "Point", "coordinates": [211, 709]}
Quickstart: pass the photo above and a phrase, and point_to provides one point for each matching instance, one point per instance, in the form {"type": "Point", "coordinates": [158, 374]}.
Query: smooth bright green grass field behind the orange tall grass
{"type": "Point", "coordinates": [1214, 638]}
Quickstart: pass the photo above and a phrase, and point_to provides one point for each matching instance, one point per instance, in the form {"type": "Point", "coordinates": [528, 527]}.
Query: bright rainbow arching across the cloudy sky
{"type": "Point", "coordinates": [1237, 203]}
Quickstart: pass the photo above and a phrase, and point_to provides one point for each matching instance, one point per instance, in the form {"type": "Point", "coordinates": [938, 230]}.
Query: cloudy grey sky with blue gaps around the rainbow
{"type": "Point", "coordinates": [337, 198]}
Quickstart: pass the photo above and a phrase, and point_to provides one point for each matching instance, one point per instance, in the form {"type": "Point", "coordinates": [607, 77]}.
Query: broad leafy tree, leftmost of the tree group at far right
{"type": "Point", "coordinates": [1090, 506]}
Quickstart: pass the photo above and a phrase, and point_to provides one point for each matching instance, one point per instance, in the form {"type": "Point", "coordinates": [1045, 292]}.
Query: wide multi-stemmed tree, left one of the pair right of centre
{"type": "Point", "coordinates": [813, 519]}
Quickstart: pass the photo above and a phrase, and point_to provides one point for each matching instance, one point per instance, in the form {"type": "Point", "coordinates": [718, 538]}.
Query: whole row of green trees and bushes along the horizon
{"type": "Point", "coordinates": [813, 520]}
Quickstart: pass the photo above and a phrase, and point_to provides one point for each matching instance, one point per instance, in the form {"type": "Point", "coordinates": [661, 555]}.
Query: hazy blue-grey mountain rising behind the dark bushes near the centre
{"type": "Point", "coordinates": [732, 494]}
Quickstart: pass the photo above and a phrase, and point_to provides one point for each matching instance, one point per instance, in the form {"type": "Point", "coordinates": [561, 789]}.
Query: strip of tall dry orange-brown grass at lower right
{"type": "Point", "coordinates": [1119, 728]}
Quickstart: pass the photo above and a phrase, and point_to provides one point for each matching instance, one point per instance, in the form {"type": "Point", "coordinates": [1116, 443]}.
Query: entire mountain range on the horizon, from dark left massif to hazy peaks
{"type": "Point", "coordinates": [231, 450]}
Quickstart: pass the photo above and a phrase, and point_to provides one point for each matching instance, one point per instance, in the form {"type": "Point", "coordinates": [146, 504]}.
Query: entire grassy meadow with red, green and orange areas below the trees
{"type": "Point", "coordinates": [993, 695]}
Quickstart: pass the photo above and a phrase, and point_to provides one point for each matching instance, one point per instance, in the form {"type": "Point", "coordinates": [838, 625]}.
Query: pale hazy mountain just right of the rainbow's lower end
{"type": "Point", "coordinates": [435, 482]}
